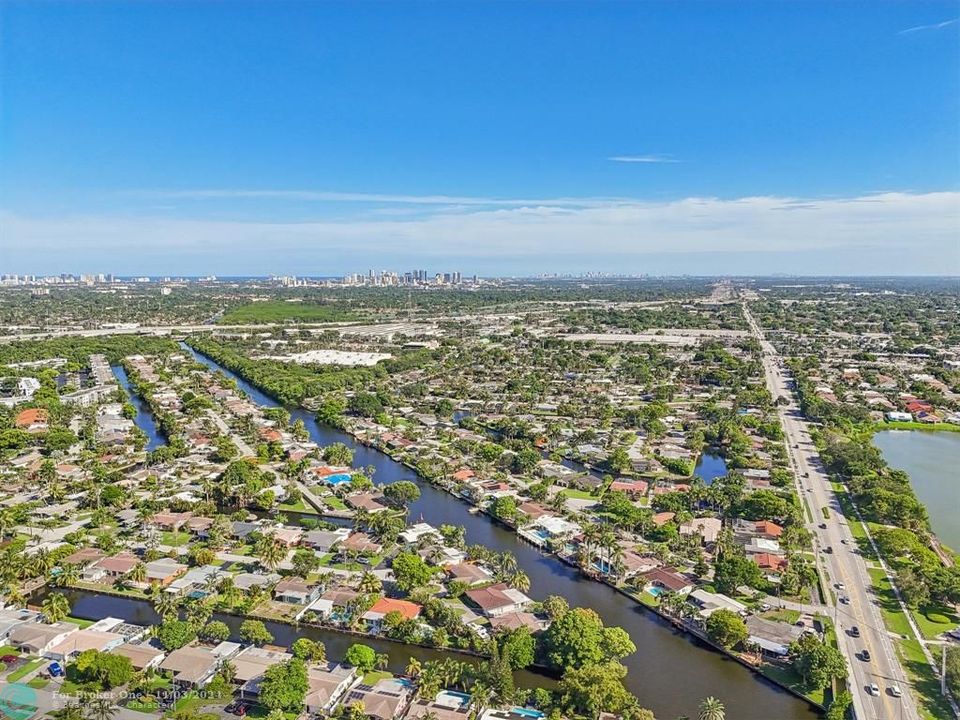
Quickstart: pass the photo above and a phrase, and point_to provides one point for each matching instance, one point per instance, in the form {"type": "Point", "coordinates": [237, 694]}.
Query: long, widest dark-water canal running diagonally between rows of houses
{"type": "Point", "coordinates": [671, 672]}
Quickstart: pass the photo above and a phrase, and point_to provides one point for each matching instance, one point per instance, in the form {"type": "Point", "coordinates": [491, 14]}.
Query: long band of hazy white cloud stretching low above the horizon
{"type": "Point", "coordinates": [922, 227]}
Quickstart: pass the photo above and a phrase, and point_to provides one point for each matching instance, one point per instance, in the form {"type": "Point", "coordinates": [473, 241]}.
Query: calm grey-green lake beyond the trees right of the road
{"type": "Point", "coordinates": [931, 460]}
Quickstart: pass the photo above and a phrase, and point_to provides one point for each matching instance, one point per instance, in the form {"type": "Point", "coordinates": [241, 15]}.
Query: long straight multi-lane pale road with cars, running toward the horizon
{"type": "Point", "coordinates": [844, 566]}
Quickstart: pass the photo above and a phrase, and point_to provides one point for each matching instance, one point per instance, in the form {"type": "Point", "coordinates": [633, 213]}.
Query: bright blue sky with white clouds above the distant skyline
{"type": "Point", "coordinates": [501, 138]}
